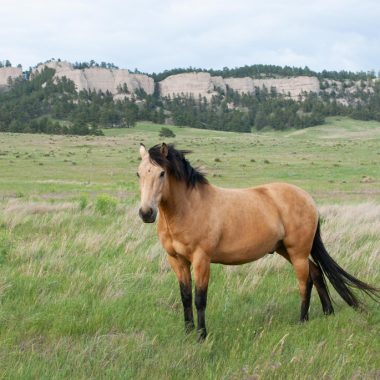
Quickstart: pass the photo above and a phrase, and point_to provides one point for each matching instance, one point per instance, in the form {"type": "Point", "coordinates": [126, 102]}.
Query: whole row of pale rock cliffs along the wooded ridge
{"type": "Point", "coordinates": [195, 84]}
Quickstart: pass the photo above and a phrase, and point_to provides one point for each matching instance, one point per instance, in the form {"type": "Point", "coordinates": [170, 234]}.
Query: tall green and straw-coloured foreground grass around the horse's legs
{"type": "Point", "coordinates": [84, 296]}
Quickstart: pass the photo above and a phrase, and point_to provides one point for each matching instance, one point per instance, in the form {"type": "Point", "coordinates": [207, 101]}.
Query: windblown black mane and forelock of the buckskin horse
{"type": "Point", "coordinates": [176, 165]}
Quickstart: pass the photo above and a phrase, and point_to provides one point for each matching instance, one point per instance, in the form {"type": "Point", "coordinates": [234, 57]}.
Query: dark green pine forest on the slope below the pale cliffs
{"type": "Point", "coordinates": [45, 104]}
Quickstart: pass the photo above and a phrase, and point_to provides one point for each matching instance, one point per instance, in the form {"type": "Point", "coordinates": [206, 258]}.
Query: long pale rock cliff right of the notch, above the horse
{"type": "Point", "coordinates": [204, 84]}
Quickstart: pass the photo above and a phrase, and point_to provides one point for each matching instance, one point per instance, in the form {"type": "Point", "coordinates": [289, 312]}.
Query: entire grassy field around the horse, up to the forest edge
{"type": "Point", "coordinates": [86, 292]}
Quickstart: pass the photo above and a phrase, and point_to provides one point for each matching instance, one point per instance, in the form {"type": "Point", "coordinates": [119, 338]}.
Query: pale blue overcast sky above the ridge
{"type": "Point", "coordinates": [157, 35]}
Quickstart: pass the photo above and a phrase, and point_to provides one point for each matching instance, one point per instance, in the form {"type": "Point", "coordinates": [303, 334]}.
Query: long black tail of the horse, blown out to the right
{"type": "Point", "coordinates": [339, 278]}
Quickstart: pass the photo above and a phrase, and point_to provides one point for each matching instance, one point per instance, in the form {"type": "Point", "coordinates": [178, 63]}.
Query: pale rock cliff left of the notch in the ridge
{"type": "Point", "coordinates": [100, 79]}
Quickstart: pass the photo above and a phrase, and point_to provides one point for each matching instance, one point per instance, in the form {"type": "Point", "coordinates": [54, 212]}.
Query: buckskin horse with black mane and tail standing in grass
{"type": "Point", "coordinates": [200, 224]}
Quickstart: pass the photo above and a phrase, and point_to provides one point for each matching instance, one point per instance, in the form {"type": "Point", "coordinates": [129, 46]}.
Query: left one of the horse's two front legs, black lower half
{"type": "Point", "coordinates": [181, 268]}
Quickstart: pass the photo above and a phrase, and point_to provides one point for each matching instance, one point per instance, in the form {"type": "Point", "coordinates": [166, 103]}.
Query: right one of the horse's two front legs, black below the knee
{"type": "Point", "coordinates": [201, 267]}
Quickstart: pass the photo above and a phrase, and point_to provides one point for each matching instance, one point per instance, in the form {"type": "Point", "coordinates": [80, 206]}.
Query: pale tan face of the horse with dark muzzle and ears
{"type": "Point", "coordinates": [152, 180]}
